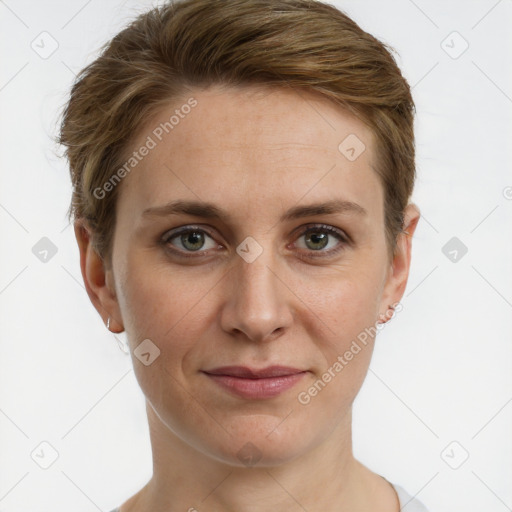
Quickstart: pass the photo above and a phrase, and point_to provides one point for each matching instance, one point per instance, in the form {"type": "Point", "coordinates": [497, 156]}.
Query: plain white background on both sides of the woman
{"type": "Point", "coordinates": [442, 368]}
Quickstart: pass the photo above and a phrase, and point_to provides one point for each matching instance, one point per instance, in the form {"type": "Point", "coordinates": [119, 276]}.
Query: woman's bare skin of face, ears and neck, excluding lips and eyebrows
{"type": "Point", "coordinates": [255, 153]}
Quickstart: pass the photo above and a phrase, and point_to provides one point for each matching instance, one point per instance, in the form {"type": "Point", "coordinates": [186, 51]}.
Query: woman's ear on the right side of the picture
{"type": "Point", "coordinates": [398, 273]}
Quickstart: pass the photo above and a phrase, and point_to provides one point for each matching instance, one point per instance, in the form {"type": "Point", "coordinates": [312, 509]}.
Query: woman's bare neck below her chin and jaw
{"type": "Point", "coordinates": [326, 477]}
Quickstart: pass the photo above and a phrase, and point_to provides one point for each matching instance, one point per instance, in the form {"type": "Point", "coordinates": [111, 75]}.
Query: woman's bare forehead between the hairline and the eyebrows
{"type": "Point", "coordinates": [253, 146]}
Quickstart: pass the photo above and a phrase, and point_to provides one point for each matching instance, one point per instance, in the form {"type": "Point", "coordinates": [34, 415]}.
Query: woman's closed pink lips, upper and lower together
{"type": "Point", "coordinates": [256, 384]}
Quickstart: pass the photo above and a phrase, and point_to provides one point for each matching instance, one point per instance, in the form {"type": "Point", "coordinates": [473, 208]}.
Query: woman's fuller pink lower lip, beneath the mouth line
{"type": "Point", "coordinates": [257, 388]}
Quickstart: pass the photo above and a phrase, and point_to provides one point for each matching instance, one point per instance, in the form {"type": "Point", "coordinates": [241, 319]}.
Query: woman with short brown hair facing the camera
{"type": "Point", "coordinates": [242, 171]}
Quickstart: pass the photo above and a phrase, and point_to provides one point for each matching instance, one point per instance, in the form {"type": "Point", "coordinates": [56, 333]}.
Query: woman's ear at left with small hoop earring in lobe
{"type": "Point", "coordinates": [98, 280]}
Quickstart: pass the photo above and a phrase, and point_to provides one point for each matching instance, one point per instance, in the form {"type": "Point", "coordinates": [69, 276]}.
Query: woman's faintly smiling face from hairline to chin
{"type": "Point", "coordinates": [247, 238]}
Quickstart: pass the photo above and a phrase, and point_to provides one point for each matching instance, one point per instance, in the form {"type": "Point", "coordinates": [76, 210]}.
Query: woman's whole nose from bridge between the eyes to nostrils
{"type": "Point", "coordinates": [257, 302]}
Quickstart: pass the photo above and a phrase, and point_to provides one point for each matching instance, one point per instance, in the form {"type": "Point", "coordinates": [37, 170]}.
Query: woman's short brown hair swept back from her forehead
{"type": "Point", "coordinates": [302, 44]}
